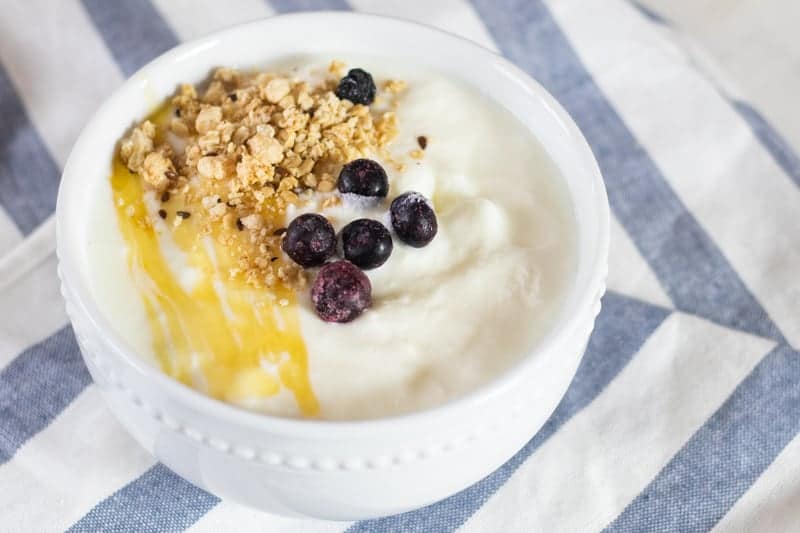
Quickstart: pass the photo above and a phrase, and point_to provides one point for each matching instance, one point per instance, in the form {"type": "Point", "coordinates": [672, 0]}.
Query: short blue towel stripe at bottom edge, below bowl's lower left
{"type": "Point", "coordinates": [158, 501]}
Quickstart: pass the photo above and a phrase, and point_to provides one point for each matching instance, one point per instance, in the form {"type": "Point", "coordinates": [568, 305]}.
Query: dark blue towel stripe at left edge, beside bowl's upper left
{"type": "Point", "coordinates": [28, 175]}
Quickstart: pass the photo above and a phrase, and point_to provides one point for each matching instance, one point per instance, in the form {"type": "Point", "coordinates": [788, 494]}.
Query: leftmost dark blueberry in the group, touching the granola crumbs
{"type": "Point", "coordinates": [309, 240]}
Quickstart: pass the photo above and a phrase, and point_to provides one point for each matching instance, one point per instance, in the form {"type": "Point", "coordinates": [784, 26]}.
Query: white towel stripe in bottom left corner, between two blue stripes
{"type": "Point", "coordinates": [82, 457]}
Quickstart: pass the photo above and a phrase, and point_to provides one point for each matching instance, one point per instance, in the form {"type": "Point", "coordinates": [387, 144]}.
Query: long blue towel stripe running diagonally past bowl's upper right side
{"type": "Point", "coordinates": [688, 264]}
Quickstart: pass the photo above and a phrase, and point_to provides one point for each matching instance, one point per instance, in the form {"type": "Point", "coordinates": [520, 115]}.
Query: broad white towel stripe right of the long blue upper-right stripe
{"type": "Point", "coordinates": [717, 167]}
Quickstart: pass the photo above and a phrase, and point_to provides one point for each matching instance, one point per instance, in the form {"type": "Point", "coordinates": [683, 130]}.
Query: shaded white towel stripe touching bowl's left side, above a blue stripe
{"type": "Point", "coordinates": [31, 306]}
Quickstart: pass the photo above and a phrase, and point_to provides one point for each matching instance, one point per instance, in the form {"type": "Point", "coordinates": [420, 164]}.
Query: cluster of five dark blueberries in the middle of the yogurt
{"type": "Point", "coordinates": [342, 291]}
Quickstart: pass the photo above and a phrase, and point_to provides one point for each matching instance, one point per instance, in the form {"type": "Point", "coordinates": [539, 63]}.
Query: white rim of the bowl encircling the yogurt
{"type": "Point", "coordinates": [274, 39]}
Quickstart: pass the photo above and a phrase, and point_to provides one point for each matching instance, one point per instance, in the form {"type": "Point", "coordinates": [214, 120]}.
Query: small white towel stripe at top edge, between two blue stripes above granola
{"type": "Point", "coordinates": [195, 18]}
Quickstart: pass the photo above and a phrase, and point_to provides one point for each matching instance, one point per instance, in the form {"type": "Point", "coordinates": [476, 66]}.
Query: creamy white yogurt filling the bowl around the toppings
{"type": "Point", "coordinates": [447, 318]}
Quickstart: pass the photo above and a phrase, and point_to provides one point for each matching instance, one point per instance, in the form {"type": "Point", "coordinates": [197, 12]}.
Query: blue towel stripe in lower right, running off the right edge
{"type": "Point", "coordinates": [717, 465]}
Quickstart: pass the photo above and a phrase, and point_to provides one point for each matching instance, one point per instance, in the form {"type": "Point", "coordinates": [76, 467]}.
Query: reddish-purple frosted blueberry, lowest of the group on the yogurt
{"type": "Point", "coordinates": [341, 292]}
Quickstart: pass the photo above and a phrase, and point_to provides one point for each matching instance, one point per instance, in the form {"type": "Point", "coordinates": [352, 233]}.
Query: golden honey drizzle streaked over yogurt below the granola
{"type": "Point", "coordinates": [194, 340]}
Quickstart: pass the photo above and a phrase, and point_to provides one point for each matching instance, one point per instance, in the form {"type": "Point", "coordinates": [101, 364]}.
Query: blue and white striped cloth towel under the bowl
{"type": "Point", "coordinates": [685, 412]}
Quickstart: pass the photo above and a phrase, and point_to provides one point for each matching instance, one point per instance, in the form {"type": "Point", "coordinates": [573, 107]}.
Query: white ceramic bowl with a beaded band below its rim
{"type": "Point", "coordinates": [334, 470]}
